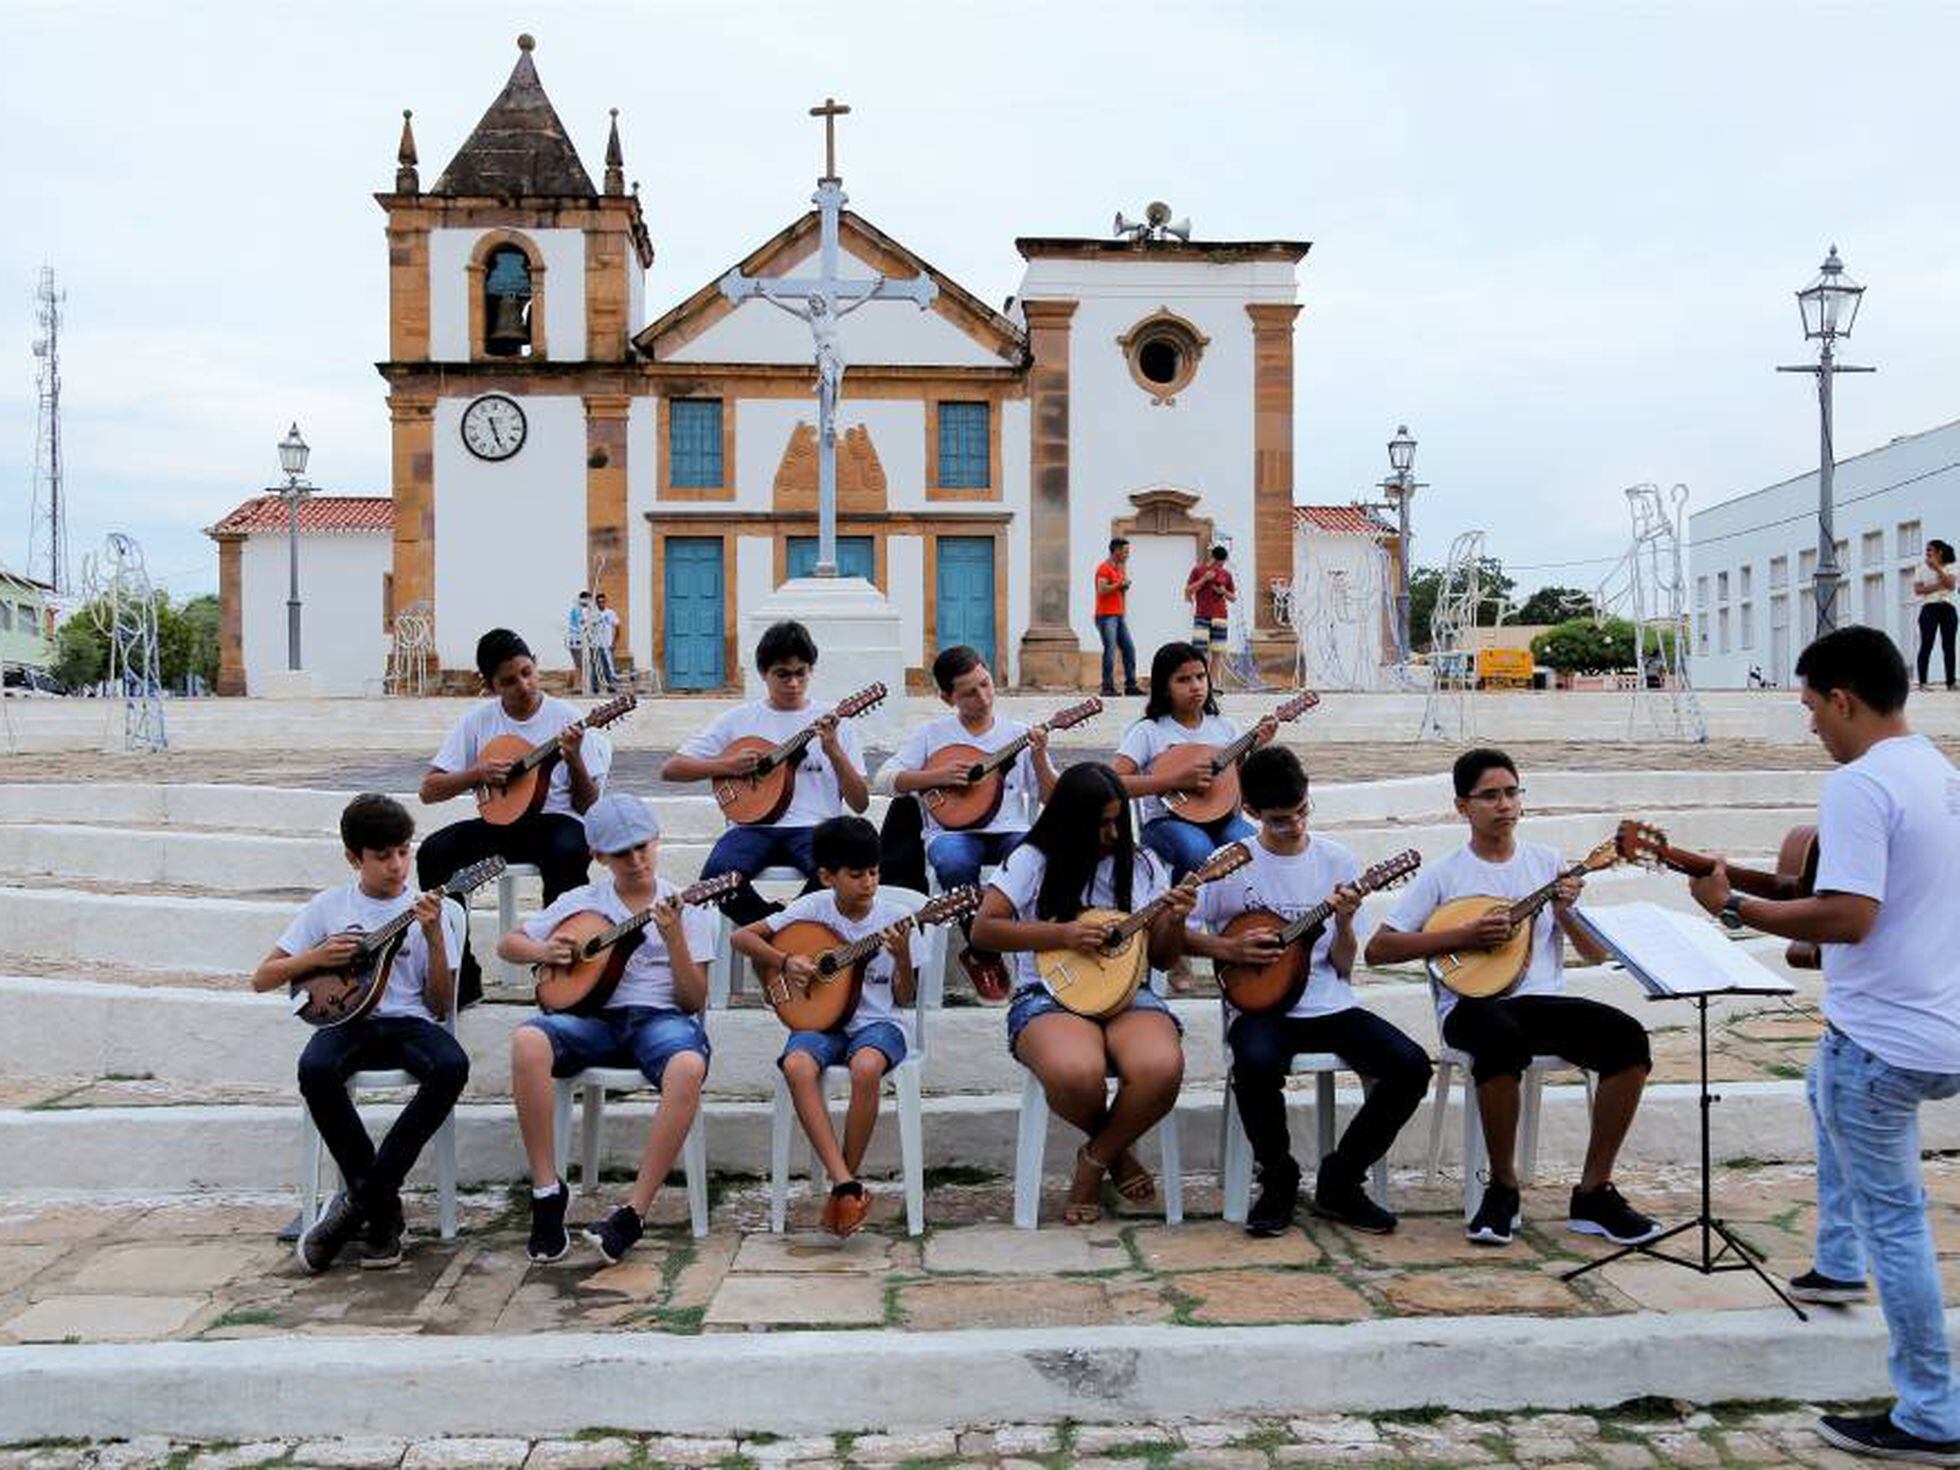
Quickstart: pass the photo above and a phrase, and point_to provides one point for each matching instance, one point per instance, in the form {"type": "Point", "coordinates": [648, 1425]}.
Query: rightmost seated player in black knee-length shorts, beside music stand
{"type": "Point", "coordinates": [1504, 1032]}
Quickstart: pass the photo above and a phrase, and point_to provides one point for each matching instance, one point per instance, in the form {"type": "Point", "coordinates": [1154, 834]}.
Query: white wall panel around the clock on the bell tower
{"type": "Point", "coordinates": [483, 511]}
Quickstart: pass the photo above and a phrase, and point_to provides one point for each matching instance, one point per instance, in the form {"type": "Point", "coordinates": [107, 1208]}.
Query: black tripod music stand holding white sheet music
{"type": "Point", "coordinates": [1679, 957]}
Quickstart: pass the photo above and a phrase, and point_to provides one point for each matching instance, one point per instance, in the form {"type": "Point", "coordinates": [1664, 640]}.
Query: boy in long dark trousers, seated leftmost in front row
{"type": "Point", "coordinates": [401, 1032]}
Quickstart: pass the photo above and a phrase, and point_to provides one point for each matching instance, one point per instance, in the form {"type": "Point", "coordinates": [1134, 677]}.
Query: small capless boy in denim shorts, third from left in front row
{"type": "Point", "coordinates": [869, 1042]}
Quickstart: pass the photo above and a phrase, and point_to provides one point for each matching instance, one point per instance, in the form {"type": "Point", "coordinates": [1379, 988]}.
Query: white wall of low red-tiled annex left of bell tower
{"type": "Point", "coordinates": [342, 638]}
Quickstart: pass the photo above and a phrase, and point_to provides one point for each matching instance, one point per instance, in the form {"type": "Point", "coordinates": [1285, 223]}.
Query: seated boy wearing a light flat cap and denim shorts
{"type": "Point", "coordinates": [652, 1020]}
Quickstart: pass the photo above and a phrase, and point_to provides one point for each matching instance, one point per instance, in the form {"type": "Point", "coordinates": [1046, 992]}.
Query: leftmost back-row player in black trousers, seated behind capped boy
{"type": "Point", "coordinates": [550, 832]}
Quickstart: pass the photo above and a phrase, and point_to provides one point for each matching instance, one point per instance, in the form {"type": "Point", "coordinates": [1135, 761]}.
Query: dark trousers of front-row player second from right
{"type": "Point", "coordinates": [1261, 1050]}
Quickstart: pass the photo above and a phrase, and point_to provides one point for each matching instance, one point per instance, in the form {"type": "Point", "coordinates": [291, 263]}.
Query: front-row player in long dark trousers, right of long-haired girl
{"type": "Point", "coordinates": [1289, 875]}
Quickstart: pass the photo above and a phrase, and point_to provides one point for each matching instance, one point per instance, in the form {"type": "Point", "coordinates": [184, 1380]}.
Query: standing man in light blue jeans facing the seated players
{"type": "Point", "coordinates": [1888, 838]}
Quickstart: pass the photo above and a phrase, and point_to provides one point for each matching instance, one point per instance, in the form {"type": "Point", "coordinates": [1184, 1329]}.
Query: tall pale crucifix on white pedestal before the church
{"type": "Point", "coordinates": [824, 301]}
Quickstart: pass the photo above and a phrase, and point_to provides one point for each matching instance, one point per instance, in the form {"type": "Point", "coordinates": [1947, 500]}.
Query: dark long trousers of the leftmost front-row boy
{"type": "Point", "coordinates": [411, 1044]}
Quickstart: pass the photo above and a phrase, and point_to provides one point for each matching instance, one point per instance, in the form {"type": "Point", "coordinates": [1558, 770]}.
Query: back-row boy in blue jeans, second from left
{"type": "Point", "coordinates": [826, 781]}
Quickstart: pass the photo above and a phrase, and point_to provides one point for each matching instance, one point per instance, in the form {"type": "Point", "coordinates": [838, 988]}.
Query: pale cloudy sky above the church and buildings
{"type": "Point", "coordinates": [1559, 242]}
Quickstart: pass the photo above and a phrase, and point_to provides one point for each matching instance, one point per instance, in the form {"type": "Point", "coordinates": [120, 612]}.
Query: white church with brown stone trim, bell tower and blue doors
{"type": "Point", "coordinates": [548, 436]}
